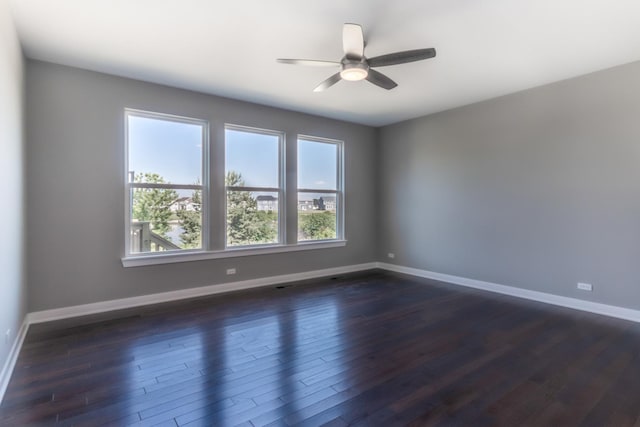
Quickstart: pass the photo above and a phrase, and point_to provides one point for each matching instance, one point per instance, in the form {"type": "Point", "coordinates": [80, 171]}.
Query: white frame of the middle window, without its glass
{"type": "Point", "coordinates": [280, 190]}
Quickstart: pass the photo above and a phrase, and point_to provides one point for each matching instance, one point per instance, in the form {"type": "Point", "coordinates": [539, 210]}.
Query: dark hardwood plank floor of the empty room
{"type": "Point", "coordinates": [367, 350]}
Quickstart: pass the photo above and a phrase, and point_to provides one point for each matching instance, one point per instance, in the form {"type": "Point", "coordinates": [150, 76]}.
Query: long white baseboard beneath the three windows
{"type": "Point", "coordinates": [119, 304]}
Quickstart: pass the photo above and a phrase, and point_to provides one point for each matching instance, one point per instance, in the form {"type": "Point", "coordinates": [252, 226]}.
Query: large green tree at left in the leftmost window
{"type": "Point", "coordinates": [153, 204]}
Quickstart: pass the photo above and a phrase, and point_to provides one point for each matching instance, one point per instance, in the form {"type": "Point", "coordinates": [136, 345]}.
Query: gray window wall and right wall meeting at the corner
{"type": "Point", "coordinates": [538, 190]}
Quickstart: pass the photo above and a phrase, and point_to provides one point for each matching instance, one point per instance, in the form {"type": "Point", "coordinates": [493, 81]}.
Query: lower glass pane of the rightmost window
{"type": "Point", "coordinates": [317, 216]}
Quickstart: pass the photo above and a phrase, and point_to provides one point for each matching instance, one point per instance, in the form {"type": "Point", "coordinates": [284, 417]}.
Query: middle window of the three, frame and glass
{"type": "Point", "coordinates": [253, 181]}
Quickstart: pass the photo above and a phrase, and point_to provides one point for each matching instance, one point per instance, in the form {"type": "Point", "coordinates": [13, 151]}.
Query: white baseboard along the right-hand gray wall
{"type": "Point", "coordinates": [577, 304]}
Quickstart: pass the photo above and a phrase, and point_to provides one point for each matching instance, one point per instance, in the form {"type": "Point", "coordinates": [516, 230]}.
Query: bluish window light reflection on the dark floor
{"type": "Point", "coordinates": [218, 374]}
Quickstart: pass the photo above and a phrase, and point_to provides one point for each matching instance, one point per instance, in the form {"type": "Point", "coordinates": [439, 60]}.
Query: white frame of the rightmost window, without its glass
{"type": "Point", "coordinates": [338, 192]}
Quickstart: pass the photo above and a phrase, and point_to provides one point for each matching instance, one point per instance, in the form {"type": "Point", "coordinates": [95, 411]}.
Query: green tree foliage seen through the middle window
{"type": "Point", "coordinates": [246, 225]}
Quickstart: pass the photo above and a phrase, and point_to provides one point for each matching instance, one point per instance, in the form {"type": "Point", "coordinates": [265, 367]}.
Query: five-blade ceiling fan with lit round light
{"type": "Point", "coordinates": [354, 66]}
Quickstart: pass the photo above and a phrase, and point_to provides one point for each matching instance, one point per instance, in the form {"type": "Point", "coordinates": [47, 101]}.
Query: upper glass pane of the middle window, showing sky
{"type": "Point", "coordinates": [254, 157]}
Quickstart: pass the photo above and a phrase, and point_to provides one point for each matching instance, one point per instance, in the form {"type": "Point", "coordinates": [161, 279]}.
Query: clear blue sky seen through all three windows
{"type": "Point", "coordinates": [174, 151]}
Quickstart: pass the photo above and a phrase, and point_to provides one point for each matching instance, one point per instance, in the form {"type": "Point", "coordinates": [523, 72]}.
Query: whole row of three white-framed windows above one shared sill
{"type": "Point", "coordinates": [178, 209]}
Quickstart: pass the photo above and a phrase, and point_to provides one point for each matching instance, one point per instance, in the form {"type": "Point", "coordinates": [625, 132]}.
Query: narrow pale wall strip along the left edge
{"type": "Point", "coordinates": [12, 276]}
